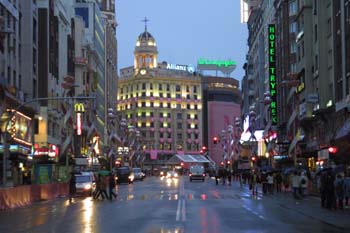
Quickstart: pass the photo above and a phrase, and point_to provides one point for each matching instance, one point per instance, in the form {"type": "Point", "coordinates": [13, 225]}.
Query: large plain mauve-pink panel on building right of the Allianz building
{"type": "Point", "coordinates": [220, 116]}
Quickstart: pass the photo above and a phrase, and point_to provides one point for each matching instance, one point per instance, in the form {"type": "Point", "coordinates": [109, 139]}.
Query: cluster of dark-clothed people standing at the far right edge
{"type": "Point", "coordinates": [334, 190]}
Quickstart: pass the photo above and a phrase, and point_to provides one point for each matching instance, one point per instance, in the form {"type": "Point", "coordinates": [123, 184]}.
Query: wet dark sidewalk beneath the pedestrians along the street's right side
{"type": "Point", "coordinates": [310, 206]}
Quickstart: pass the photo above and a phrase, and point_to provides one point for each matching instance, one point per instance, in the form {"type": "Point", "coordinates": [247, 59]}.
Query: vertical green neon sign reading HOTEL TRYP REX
{"type": "Point", "coordinates": [272, 72]}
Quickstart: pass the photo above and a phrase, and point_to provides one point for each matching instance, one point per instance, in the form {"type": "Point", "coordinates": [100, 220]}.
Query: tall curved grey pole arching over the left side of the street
{"type": "Point", "coordinates": [7, 137]}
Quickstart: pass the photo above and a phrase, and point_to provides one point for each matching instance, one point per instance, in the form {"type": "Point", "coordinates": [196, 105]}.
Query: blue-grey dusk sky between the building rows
{"type": "Point", "coordinates": [185, 30]}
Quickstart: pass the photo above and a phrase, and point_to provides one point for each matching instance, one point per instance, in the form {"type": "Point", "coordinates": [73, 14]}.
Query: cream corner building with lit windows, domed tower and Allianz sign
{"type": "Point", "coordinates": [163, 101]}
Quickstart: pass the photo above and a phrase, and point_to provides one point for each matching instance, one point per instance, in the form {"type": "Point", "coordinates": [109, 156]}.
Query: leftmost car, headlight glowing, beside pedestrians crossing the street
{"type": "Point", "coordinates": [85, 183]}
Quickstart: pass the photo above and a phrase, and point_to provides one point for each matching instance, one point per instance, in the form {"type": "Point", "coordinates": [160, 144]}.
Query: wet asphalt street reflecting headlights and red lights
{"type": "Point", "coordinates": [161, 205]}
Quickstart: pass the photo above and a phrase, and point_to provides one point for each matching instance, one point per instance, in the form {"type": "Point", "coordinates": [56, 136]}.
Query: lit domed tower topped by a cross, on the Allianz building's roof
{"type": "Point", "coordinates": [146, 52]}
